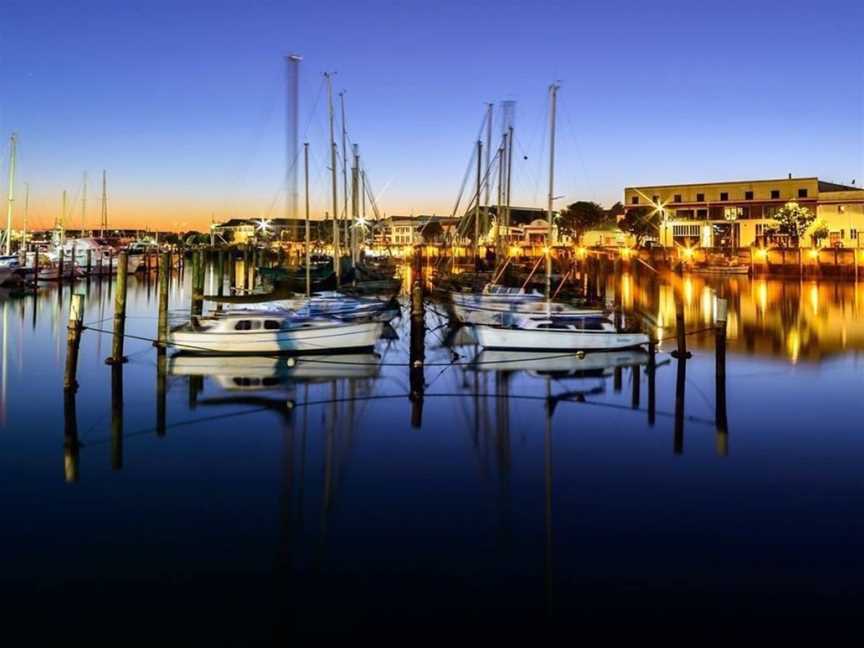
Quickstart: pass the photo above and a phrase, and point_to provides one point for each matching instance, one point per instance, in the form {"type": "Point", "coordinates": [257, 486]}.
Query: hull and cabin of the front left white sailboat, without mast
{"type": "Point", "coordinates": [272, 332]}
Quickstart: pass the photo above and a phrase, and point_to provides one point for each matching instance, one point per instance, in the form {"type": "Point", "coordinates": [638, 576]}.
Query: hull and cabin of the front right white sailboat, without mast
{"type": "Point", "coordinates": [557, 332]}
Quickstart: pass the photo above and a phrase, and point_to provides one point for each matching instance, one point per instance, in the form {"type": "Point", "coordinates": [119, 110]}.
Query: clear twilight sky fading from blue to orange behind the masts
{"type": "Point", "coordinates": [183, 102]}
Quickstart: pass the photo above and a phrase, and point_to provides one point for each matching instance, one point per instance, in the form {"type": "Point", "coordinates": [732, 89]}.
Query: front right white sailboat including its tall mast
{"type": "Point", "coordinates": [550, 330]}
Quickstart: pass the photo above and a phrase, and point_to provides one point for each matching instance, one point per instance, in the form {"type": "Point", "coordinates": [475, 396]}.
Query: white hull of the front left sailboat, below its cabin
{"type": "Point", "coordinates": [304, 338]}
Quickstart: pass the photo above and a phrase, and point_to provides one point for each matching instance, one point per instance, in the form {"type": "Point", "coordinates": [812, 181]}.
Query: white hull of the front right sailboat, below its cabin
{"type": "Point", "coordinates": [491, 337]}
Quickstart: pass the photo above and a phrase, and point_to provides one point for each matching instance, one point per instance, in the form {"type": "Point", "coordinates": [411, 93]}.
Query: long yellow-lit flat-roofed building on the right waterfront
{"type": "Point", "coordinates": [723, 214]}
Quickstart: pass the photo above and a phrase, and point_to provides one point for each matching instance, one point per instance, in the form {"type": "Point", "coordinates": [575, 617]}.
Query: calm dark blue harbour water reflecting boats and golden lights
{"type": "Point", "coordinates": [286, 499]}
